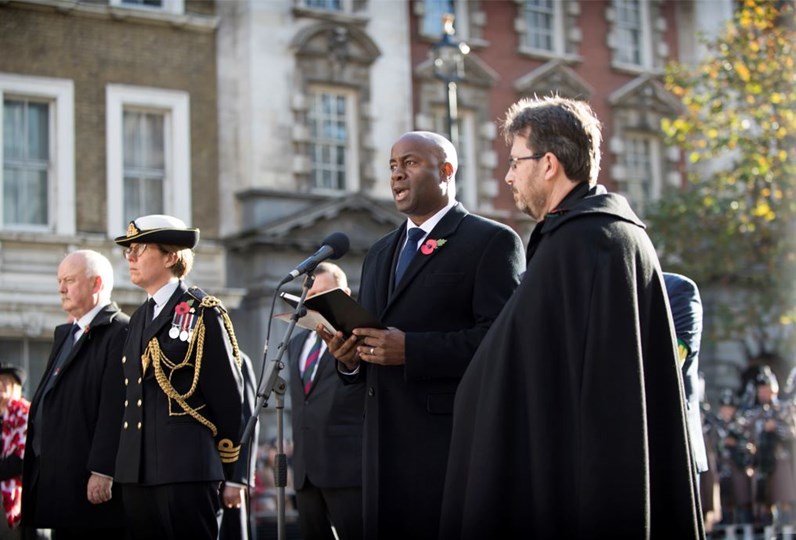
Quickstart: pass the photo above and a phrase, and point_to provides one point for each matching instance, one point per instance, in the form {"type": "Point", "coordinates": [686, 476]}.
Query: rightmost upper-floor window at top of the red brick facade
{"type": "Point", "coordinates": [631, 30]}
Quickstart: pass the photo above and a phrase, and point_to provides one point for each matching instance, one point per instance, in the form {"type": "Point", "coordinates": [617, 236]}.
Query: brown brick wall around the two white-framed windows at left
{"type": "Point", "coordinates": [94, 51]}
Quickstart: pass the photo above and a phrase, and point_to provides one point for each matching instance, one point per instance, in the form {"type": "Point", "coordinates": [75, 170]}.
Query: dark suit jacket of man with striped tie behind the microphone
{"type": "Point", "coordinates": [327, 423]}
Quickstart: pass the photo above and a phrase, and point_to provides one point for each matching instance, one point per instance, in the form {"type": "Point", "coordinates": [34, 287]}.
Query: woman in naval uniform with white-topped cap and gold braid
{"type": "Point", "coordinates": [182, 414]}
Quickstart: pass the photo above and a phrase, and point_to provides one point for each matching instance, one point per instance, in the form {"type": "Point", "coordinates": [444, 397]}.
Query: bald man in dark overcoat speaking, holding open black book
{"type": "Point", "coordinates": [438, 282]}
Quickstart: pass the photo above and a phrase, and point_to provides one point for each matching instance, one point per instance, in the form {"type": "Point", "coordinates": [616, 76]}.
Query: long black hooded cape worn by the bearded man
{"type": "Point", "coordinates": [570, 421]}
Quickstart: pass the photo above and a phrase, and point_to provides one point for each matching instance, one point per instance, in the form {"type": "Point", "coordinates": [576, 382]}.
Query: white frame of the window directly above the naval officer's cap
{"type": "Point", "coordinates": [175, 105]}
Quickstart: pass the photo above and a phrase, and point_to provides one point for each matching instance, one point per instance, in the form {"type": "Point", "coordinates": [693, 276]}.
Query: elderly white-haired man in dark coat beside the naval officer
{"type": "Point", "coordinates": [73, 427]}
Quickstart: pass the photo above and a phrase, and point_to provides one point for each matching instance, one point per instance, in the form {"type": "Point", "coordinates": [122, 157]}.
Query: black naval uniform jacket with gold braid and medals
{"type": "Point", "coordinates": [160, 443]}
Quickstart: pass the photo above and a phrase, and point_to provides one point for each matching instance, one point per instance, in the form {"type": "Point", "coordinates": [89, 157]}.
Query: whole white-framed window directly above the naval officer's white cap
{"type": "Point", "coordinates": [149, 166]}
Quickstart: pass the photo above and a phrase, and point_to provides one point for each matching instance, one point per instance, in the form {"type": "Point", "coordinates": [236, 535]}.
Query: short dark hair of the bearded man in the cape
{"type": "Point", "coordinates": [565, 127]}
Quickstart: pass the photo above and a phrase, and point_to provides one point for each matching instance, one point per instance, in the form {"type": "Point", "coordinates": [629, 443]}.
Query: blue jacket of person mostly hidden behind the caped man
{"type": "Point", "coordinates": [686, 306]}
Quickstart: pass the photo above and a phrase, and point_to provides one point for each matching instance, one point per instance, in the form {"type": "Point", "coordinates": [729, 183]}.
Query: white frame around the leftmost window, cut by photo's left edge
{"type": "Point", "coordinates": [61, 181]}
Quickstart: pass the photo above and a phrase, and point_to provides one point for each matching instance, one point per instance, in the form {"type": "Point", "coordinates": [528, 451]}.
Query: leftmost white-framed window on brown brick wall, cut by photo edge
{"type": "Point", "coordinates": [38, 154]}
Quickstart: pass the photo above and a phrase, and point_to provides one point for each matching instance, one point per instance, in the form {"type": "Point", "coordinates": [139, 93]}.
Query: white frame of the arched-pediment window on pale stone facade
{"type": "Point", "coordinates": [352, 177]}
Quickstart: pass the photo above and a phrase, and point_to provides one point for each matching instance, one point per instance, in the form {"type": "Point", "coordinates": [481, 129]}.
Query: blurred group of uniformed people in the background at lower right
{"type": "Point", "coordinates": [750, 441]}
